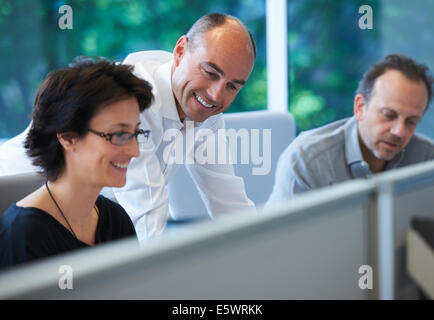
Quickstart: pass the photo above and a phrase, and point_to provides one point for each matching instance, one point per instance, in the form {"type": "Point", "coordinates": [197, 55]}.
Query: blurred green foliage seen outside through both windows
{"type": "Point", "coordinates": [327, 51]}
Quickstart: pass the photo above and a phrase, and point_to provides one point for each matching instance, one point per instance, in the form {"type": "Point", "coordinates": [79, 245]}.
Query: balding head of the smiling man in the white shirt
{"type": "Point", "coordinates": [210, 66]}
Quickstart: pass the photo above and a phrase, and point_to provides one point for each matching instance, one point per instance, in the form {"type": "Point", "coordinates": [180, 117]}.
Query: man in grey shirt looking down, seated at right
{"type": "Point", "coordinates": [389, 103]}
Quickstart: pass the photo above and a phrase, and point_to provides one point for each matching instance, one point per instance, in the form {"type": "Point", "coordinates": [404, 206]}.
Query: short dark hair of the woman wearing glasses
{"type": "Point", "coordinates": [69, 98]}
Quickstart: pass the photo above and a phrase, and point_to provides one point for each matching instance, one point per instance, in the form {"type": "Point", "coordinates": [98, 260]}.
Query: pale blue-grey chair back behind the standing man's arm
{"type": "Point", "coordinates": [259, 135]}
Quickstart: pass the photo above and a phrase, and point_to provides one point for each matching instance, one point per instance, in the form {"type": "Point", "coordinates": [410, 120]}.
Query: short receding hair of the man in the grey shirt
{"type": "Point", "coordinates": [407, 66]}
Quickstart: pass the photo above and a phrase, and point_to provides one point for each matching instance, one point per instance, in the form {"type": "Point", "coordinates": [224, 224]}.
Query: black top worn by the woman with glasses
{"type": "Point", "coordinates": [29, 233]}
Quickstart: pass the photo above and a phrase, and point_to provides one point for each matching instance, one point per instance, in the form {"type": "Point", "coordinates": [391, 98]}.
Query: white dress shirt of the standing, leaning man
{"type": "Point", "coordinates": [145, 196]}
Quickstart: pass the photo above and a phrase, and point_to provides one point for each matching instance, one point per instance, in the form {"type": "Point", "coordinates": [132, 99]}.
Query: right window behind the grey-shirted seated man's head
{"type": "Point", "coordinates": [328, 52]}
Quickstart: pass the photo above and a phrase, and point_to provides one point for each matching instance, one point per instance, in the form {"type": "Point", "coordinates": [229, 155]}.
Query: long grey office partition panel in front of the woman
{"type": "Point", "coordinates": [309, 248]}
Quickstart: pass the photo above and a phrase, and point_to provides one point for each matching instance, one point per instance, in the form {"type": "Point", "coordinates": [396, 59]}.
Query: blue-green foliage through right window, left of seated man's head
{"type": "Point", "coordinates": [328, 54]}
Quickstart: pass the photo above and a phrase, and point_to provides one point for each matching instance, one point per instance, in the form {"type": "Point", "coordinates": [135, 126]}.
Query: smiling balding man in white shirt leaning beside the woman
{"type": "Point", "coordinates": [192, 87]}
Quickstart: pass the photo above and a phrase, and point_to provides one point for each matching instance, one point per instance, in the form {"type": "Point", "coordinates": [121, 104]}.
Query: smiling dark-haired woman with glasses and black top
{"type": "Point", "coordinates": [84, 132]}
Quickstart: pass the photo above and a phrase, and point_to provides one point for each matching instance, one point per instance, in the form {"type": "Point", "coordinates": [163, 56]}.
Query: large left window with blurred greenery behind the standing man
{"type": "Point", "coordinates": [32, 44]}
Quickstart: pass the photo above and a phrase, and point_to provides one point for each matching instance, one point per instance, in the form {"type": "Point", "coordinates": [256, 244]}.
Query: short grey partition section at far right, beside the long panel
{"type": "Point", "coordinates": [403, 194]}
